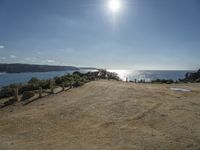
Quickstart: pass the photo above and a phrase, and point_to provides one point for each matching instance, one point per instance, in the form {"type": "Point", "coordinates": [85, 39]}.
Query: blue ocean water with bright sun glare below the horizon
{"type": "Point", "coordinates": [7, 78]}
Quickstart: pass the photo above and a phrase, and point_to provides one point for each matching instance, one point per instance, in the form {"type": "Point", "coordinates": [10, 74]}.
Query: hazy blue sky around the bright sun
{"type": "Point", "coordinates": [142, 35]}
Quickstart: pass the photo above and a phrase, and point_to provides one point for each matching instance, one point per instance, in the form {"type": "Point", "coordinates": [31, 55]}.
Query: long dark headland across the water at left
{"type": "Point", "coordinates": [22, 68]}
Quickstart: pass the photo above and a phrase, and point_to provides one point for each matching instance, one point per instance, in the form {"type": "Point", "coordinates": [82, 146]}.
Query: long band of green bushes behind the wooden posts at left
{"type": "Point", "coordinates": [70, 80]}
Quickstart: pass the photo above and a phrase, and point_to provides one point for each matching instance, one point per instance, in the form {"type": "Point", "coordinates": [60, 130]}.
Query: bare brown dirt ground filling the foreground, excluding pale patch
{"type": "Point", "coordinates": [106, 115]}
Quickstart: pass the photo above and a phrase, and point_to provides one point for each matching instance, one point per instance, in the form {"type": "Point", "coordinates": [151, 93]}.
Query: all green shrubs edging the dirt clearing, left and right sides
{"type": "Point", "coordinates": [75, 80]}
